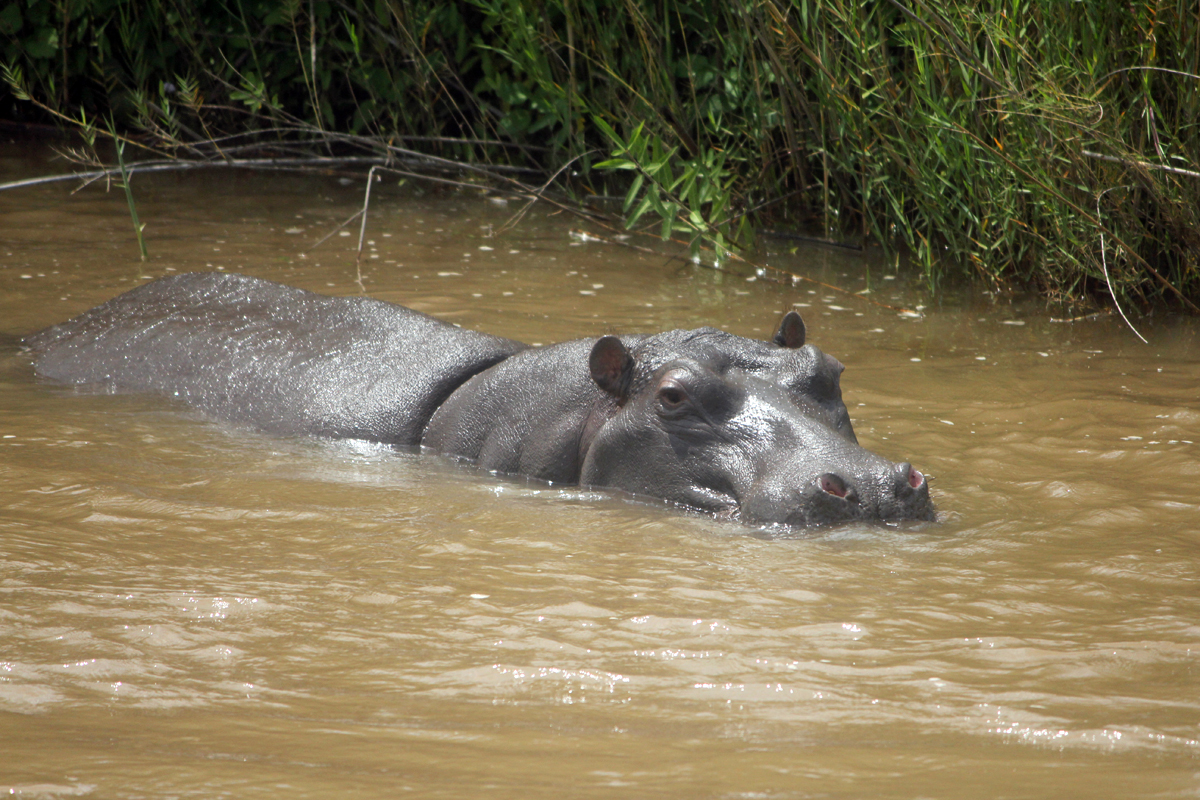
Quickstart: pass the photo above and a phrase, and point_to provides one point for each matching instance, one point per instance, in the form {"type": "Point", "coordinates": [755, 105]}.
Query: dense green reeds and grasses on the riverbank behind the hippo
{"type": "Point", "coordinates": [1033, 143]}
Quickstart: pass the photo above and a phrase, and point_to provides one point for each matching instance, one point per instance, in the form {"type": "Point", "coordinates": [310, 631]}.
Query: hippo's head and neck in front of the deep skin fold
{"type": "Point", "coordinates": [721, 428]}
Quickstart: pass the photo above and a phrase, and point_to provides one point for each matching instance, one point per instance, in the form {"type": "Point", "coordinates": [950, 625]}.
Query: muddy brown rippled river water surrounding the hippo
{"type": "Point", "coordinates": [194, 610]}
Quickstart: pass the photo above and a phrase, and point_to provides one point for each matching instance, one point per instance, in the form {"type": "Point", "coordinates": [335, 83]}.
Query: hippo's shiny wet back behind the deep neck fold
{"type": "Point", "coordinates": [284, 360]}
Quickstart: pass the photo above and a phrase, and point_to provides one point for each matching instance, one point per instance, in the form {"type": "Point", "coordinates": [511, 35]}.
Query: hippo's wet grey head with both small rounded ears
{"type": "Point", "coordinates": [763, 441]}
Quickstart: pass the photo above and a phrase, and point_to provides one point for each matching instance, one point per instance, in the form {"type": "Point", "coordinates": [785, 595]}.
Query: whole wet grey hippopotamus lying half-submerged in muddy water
{"type": "Point", "coordinates": [754, 431]}
